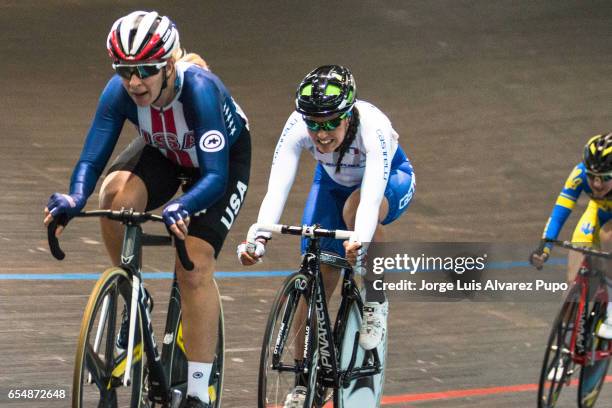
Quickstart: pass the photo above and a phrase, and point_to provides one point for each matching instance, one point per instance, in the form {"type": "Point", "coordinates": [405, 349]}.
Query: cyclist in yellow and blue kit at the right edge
{"type": "Point", "coordinates": [592, 176]}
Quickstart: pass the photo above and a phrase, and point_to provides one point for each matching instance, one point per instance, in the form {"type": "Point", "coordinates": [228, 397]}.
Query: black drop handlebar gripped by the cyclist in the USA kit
{"type": "Point", "coordinates": [125, 217]}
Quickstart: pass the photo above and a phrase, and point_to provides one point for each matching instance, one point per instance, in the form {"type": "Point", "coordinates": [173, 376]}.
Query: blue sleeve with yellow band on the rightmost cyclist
{"type": "Point", "coordinates": [565, 202]}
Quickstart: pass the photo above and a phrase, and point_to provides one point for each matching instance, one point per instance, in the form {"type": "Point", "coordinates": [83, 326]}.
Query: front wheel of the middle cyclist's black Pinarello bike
{"type": "Point", "coordinates": [282, 348]}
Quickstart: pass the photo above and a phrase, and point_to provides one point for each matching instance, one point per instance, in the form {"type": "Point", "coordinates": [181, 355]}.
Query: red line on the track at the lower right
{"type": "Point", "coordinates": [442, 395]}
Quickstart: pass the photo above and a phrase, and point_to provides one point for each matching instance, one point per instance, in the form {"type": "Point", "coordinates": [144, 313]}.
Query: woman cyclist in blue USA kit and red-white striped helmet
{"type": "Point", "coordinates": [191, 132]}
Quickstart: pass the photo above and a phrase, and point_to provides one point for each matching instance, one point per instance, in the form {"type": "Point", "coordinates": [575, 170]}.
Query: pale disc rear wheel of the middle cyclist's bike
{"type": "Point", "coordinates": [367, 391]}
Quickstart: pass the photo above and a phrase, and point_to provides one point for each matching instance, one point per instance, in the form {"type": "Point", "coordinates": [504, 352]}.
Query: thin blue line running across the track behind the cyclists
{"type": "Point", "coordinates": [228, 275]}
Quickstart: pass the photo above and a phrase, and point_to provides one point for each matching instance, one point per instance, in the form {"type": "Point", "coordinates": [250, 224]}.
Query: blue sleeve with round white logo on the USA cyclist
{"type": "Point", "coordinates": [204, 103]}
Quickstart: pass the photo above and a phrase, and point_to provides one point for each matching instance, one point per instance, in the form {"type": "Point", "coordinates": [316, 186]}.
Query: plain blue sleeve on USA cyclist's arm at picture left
{"type": "Point", "coordinates": [101, 138]}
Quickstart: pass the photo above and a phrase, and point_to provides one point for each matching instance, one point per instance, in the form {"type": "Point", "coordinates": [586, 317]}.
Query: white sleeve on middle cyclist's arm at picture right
{"type": "Point", "coordinates": [377, 142]}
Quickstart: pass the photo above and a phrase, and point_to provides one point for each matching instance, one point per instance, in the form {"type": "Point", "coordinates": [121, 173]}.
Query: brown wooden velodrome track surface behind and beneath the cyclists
{"type": "Point", "coordinates": [493, 101]}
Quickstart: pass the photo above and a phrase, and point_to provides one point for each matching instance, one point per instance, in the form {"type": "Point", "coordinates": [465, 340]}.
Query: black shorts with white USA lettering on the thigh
{"type": "Point", "coordinates": [162, 179]}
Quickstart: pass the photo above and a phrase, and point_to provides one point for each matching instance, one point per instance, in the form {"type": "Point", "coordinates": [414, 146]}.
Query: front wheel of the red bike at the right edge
{"type": "Point", "coordinates": [558, 365]}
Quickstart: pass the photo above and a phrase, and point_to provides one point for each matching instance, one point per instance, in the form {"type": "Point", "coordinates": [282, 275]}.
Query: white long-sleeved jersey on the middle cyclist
{"type": "Point", "coordinates": [366, 162]}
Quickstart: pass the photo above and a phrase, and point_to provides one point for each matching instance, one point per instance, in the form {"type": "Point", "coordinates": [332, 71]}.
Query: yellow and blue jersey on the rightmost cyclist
{"type": "Point", "coordinates": [598, 212]}
